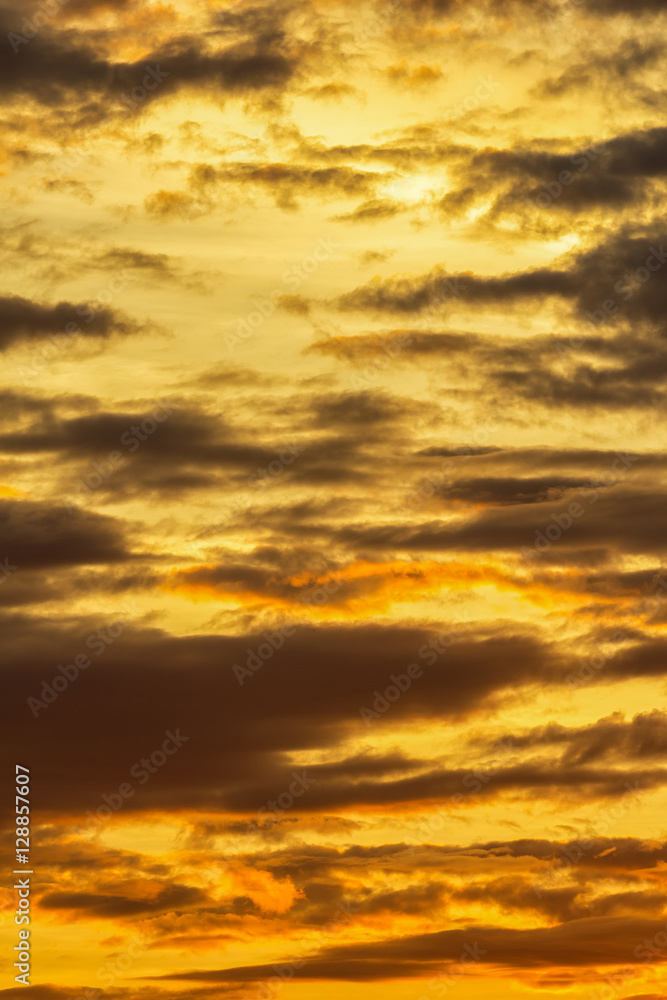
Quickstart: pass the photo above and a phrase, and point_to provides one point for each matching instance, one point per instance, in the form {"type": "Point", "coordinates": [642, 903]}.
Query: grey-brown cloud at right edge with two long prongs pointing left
{"type": "Point", "coordinates": [615, 360]}
